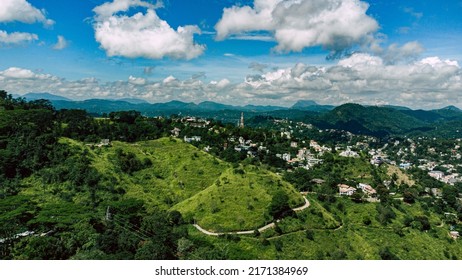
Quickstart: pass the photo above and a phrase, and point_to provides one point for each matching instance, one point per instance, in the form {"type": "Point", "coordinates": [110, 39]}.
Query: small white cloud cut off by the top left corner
{"type": "Point", "coordinates": [22, 11]}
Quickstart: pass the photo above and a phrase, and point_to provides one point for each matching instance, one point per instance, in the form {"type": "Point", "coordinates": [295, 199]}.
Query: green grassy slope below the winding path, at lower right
{"type": "Point", "coordinates": [358, 235]}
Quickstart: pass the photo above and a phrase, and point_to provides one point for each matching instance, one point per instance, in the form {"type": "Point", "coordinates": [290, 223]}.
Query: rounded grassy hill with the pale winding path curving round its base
{"type": "Point", "coordinates": [238, 200]}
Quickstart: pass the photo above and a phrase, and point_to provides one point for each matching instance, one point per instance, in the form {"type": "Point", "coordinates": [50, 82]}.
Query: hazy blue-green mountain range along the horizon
{"type": "Point", "coordinates": [380, 121]}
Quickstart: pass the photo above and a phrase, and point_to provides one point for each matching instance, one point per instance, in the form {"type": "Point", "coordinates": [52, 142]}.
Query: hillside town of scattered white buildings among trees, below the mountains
{"type": "Point", "coordinates": [295, 145]}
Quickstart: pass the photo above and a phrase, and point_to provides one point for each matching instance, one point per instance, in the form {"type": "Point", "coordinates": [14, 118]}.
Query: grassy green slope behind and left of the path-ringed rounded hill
{"type": "Point", "coordinates": [178, 170]}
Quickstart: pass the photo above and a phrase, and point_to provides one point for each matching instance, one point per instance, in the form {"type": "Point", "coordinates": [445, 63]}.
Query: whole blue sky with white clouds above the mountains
{"type": "Point", "coordinates": [265, 52]}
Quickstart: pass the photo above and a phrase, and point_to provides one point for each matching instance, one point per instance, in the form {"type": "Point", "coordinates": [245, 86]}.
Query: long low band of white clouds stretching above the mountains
{"type": "Point", "coordinates": [431, 82]}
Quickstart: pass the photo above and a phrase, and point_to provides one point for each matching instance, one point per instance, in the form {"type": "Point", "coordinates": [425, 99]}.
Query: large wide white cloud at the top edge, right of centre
{"type": "Point", "coordinates": [296, 24]}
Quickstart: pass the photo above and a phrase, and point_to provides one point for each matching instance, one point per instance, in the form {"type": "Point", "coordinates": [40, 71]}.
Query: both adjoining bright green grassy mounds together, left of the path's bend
{"type": "Point", "coordinates": [178, 177]}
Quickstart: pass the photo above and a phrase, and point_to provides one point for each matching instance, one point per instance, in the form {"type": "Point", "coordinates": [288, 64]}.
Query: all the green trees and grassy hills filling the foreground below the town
{"type": "Point", "coordinates": [67, 193]}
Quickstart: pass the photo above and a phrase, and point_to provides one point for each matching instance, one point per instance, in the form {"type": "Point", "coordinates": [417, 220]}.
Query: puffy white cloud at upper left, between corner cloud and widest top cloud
{"type": "Point", "coordinates": [142, 34]}
